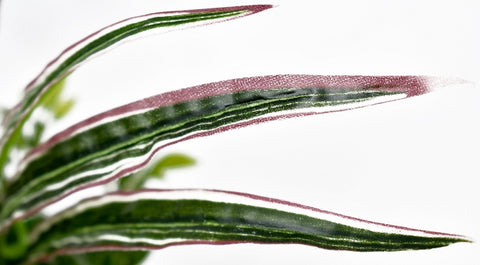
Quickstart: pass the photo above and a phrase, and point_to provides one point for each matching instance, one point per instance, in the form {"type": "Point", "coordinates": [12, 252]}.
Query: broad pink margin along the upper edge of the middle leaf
{"type": "Point", "coordinates": [410, 85]}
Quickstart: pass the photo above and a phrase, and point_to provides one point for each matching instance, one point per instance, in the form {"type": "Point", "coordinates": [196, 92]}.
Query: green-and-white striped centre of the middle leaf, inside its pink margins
{"type": "Point", "coordinates": [102, 151]}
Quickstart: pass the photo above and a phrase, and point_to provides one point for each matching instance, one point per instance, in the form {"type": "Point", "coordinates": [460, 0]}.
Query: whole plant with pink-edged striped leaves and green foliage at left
{"type": "Point", "coordinates": [120, 226]}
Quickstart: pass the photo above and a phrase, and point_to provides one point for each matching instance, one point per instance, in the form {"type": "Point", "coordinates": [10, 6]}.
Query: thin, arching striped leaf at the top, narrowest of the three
{"type": "Point", "coordinates": [76, 54]}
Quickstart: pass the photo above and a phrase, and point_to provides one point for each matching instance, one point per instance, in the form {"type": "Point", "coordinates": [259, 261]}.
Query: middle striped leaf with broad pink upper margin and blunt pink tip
{"type": "Point", "coordinates": [123, 140]}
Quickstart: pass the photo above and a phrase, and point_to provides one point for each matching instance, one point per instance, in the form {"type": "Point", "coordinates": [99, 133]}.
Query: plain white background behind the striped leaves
{"type": "Point", "coordinates": [411, 163]}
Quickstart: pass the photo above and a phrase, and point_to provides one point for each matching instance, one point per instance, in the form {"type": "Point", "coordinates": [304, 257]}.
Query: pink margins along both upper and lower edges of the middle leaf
{"type": "Point", "coordinates": [410, 85]}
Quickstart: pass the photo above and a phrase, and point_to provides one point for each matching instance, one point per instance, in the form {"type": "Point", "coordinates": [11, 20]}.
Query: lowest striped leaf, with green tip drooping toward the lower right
{"type": "Point", "coordinates": [153, 219]}
